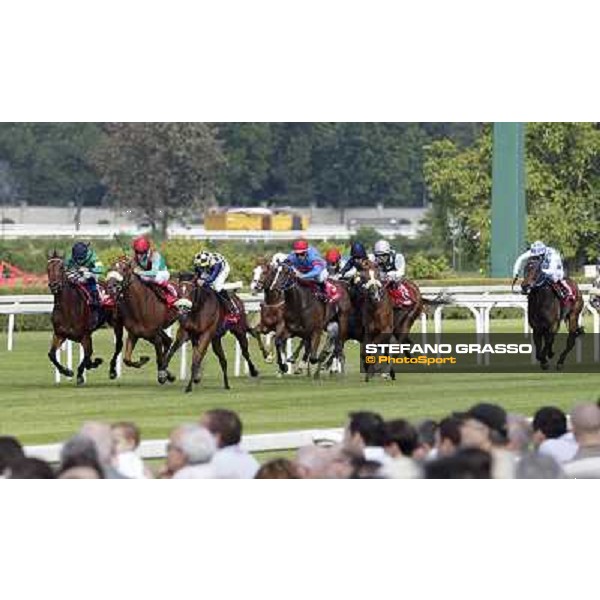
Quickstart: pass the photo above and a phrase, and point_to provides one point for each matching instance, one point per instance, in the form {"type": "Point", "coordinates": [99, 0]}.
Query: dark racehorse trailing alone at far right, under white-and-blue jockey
{"type": "Point", "coordinates": [545, 313]}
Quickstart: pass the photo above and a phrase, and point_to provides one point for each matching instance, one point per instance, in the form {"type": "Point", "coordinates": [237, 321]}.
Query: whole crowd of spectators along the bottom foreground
{"type": "Point", "coordinates": [481, 443]}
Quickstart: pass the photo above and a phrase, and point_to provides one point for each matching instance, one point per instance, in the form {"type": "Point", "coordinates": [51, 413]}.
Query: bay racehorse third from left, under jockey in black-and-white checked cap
{"type": "Point", "coordinates": [207, 323]}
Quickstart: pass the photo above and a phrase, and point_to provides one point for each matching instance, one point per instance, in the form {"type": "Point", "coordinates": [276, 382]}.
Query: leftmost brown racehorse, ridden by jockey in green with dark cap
{"type": "Point", "coordinates": [73, 319]}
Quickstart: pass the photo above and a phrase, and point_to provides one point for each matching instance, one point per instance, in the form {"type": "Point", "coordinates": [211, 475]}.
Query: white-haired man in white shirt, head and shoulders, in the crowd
{"type": "Point", "coordinates": [189, 453]}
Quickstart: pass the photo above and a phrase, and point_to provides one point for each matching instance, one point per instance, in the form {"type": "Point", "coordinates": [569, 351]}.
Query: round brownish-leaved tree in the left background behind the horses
{"type": "Point", "coordinates": [164, 171]}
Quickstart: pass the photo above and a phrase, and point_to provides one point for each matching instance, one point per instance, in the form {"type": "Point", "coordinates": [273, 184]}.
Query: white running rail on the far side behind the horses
{"type": "Point", "coordinates": [479, 300]}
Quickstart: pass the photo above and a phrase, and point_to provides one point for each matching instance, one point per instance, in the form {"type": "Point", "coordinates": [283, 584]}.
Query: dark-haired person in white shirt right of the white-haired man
{"type": "Point", "coordinates": [230, 461]}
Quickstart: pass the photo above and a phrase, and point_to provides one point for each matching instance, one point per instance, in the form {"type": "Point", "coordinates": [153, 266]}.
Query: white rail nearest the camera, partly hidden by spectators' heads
{"type": "Point", "coordinates": [261, 442]}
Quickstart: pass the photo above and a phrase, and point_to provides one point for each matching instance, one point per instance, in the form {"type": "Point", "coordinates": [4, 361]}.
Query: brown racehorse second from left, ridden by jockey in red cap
{"type": "Point", "coordinates": [144, 314]}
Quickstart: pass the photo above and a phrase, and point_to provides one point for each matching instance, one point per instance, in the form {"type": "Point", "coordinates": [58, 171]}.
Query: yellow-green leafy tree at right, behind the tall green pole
{"type": "Point", "coordinates": [563, 172]}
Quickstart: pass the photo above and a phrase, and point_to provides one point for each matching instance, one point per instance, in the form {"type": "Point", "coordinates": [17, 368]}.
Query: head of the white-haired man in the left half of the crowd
{"type": "Point", "coordinates": [189, 444]}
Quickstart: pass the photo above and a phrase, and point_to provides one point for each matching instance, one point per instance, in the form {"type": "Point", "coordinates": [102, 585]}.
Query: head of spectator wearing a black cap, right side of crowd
{"type": "Point", "coordinates": [484, 427]}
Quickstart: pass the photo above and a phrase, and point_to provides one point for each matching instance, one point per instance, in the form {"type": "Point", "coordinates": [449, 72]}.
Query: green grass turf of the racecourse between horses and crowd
{"type": "Point", "coordinates": [36, 410]}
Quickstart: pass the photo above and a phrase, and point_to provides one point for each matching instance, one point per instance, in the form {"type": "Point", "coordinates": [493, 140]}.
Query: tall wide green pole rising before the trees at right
{"type": "Point", "coordinates": [509, 215]}
